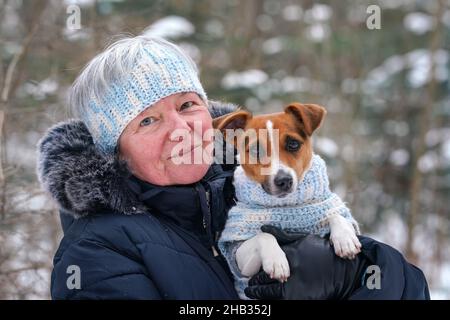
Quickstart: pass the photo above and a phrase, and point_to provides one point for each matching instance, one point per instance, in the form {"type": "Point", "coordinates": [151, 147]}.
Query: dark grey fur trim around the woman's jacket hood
{"type": "Point", "coordinates": [84, 181]}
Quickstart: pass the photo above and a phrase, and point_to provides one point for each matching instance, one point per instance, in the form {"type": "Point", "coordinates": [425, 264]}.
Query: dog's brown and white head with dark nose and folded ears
{"type": "Point", "coordinates": [275, 150]}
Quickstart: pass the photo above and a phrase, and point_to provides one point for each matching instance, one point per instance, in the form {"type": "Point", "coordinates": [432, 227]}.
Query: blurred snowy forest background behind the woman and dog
{"type": "Point", "coordinates": [386, 137]}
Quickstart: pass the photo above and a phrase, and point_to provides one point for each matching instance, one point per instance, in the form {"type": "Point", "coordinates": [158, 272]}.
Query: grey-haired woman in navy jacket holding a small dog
{"type": "Point", "coordinates": [142, 202]}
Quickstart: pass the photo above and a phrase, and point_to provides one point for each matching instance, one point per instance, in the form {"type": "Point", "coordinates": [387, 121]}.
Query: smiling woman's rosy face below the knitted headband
{"type": "Point", "coordinates": [166, 144]}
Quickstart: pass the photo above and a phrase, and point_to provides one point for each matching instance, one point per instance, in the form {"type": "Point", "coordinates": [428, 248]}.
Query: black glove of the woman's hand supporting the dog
{"type": "Point", "coordinates": [316, 272]}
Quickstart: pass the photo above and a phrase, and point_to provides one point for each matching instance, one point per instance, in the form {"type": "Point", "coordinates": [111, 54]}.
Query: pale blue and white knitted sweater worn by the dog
{"type": "Point", "coordinates": [304, 210]}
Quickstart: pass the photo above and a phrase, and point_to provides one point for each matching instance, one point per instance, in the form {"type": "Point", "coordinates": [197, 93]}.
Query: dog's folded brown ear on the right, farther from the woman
{"type": "Point", "coordinates": [310, 116]}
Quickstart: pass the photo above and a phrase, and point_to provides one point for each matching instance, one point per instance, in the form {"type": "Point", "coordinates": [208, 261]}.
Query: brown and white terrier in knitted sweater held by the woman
{"type": "Point", "coordinates": [280, 182]}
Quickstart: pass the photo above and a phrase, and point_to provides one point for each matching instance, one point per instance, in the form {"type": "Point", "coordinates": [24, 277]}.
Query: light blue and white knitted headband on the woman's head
{"type": "Point", "coordinates": [160, 71]}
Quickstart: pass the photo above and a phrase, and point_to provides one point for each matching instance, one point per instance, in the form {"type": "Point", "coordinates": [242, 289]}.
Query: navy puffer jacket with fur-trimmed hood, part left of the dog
{"type": "Point", "coordinates": [127, 239]}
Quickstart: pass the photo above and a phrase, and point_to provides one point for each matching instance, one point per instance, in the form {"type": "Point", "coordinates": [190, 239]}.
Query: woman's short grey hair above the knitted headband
{"type": "Point", "coordinates": [111, 65]}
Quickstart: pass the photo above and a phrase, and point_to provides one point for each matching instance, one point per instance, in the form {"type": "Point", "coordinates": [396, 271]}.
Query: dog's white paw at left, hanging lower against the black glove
{"type": "Point", "coordinates": [275, 264]}
